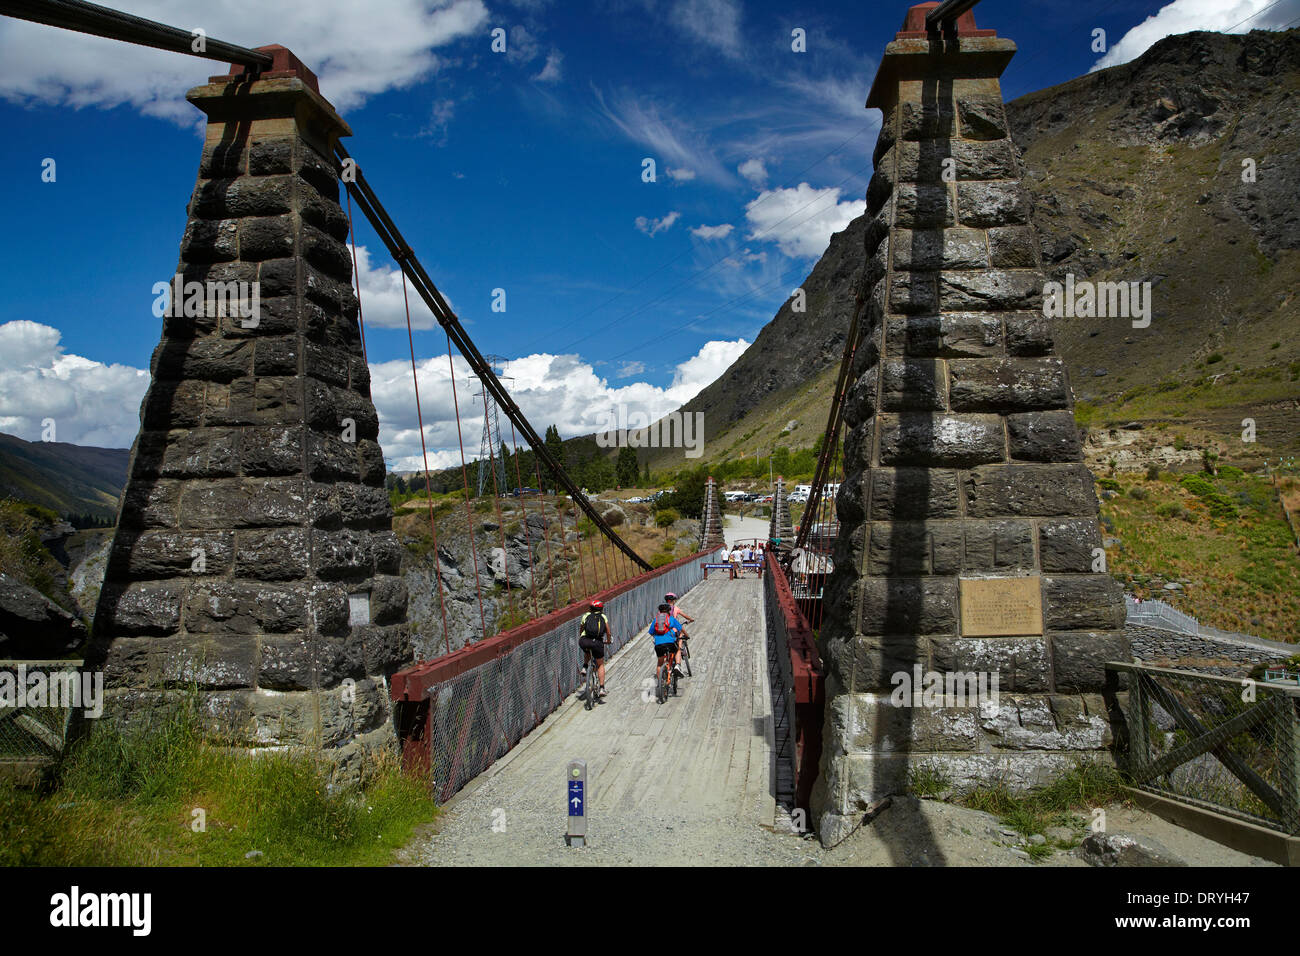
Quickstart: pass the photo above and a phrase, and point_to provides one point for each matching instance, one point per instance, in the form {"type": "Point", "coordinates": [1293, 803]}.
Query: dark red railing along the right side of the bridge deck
{"type": "Point", "coordinates": [799, 689]}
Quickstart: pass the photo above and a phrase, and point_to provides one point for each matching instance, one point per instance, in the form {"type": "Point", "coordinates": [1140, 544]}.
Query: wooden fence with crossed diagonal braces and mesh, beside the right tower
{"type": "Point", "coordinates": [1232, 746]}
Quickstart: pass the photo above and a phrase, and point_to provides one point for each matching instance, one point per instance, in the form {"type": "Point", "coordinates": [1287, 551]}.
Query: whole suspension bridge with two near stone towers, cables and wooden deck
{"type": "Point", "coordinates": [959, 537]}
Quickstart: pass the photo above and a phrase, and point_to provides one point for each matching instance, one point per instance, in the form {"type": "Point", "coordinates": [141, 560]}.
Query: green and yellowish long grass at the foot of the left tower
{"type": "Point", "coordinates": [129, 799]}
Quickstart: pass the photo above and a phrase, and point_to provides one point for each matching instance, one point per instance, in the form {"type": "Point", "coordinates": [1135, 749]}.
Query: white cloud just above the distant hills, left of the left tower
{"type": "Point", "coordinates": [90, 403]}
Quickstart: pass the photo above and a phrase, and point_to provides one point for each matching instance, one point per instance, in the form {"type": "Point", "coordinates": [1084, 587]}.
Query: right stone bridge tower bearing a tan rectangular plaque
{"type": "Point", "coordinates": [969, 522]}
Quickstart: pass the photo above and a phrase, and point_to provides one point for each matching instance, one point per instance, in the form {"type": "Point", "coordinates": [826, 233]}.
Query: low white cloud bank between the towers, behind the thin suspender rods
{"type": "Point", "coordinates": [551, 390]}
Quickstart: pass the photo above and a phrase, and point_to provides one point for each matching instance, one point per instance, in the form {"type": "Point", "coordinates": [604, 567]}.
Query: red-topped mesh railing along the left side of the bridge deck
{"type": "Point", "coordinates": [458, 715]}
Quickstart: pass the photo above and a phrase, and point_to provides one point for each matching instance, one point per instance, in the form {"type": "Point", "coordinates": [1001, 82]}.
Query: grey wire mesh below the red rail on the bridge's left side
{"type": "Point", "coordinates": [478, 716]}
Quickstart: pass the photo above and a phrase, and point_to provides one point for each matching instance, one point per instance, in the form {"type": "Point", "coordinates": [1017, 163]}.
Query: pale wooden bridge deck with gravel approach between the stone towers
{"type": "Point", "coordinates": [697, 769]}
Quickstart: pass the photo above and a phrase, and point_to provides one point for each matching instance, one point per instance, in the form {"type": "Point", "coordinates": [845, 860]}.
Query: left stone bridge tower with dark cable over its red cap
{"type": "Point", "coordinates": [254, 557]}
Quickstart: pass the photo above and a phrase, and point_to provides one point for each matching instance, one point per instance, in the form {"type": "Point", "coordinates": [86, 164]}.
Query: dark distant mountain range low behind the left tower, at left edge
{"type": "Point", "coordinates": [68, 479]}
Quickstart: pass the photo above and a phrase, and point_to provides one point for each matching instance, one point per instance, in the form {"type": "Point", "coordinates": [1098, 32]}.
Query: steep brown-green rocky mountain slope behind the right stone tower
{"type": "Point", "coordinates": [1137, 176]}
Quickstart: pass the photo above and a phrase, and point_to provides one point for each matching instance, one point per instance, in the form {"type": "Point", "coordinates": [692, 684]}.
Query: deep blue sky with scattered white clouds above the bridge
{"type": "Point", "coordinates": [518, 171]}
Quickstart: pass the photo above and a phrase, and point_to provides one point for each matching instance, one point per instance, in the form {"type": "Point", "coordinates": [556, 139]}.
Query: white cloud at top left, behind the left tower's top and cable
{"type": "Point", "coordinates": [356, 50]}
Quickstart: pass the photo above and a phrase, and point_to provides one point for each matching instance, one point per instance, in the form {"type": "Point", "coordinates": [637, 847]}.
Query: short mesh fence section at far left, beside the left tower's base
{"type": "Point", "coordinates": [38, 704]}
